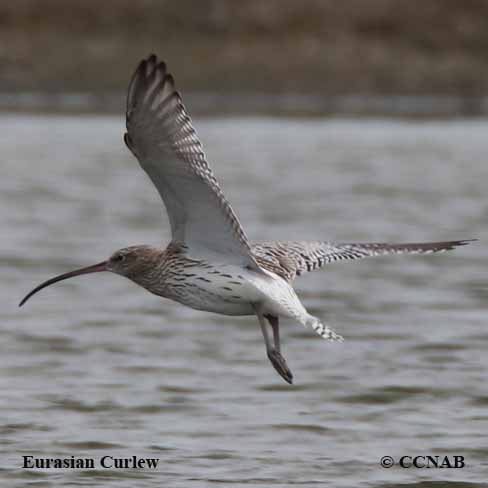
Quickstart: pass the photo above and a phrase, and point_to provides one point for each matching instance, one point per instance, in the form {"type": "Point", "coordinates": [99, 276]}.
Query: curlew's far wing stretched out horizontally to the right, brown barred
{"type": "Point", "coordinates": [293, 258]}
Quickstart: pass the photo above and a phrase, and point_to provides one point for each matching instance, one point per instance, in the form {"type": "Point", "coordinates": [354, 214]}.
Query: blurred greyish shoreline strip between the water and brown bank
{"type": "Point", "coordinates": [290, 105]}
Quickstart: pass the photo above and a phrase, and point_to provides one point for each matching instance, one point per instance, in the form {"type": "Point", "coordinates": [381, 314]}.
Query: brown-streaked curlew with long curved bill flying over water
{"type": "Point", "coordinates": [210, 264]}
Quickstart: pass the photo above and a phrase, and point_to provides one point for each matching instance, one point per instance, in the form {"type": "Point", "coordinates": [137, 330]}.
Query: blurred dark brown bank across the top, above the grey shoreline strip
{"type": "Point", "coordinates": [327, 47]}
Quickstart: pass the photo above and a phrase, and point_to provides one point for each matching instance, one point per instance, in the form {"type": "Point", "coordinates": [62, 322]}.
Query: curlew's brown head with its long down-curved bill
{"type": "Point", "coordinates": [131, 262]}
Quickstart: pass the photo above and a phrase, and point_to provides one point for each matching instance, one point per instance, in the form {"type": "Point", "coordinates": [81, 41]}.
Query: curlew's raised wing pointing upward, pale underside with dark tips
{"type": "Point", "coordinates": [161, 136]}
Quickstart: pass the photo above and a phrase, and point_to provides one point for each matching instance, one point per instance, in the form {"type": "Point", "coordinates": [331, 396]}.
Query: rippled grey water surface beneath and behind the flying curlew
{"type": "Point", "coordinates": [96, 366]}
